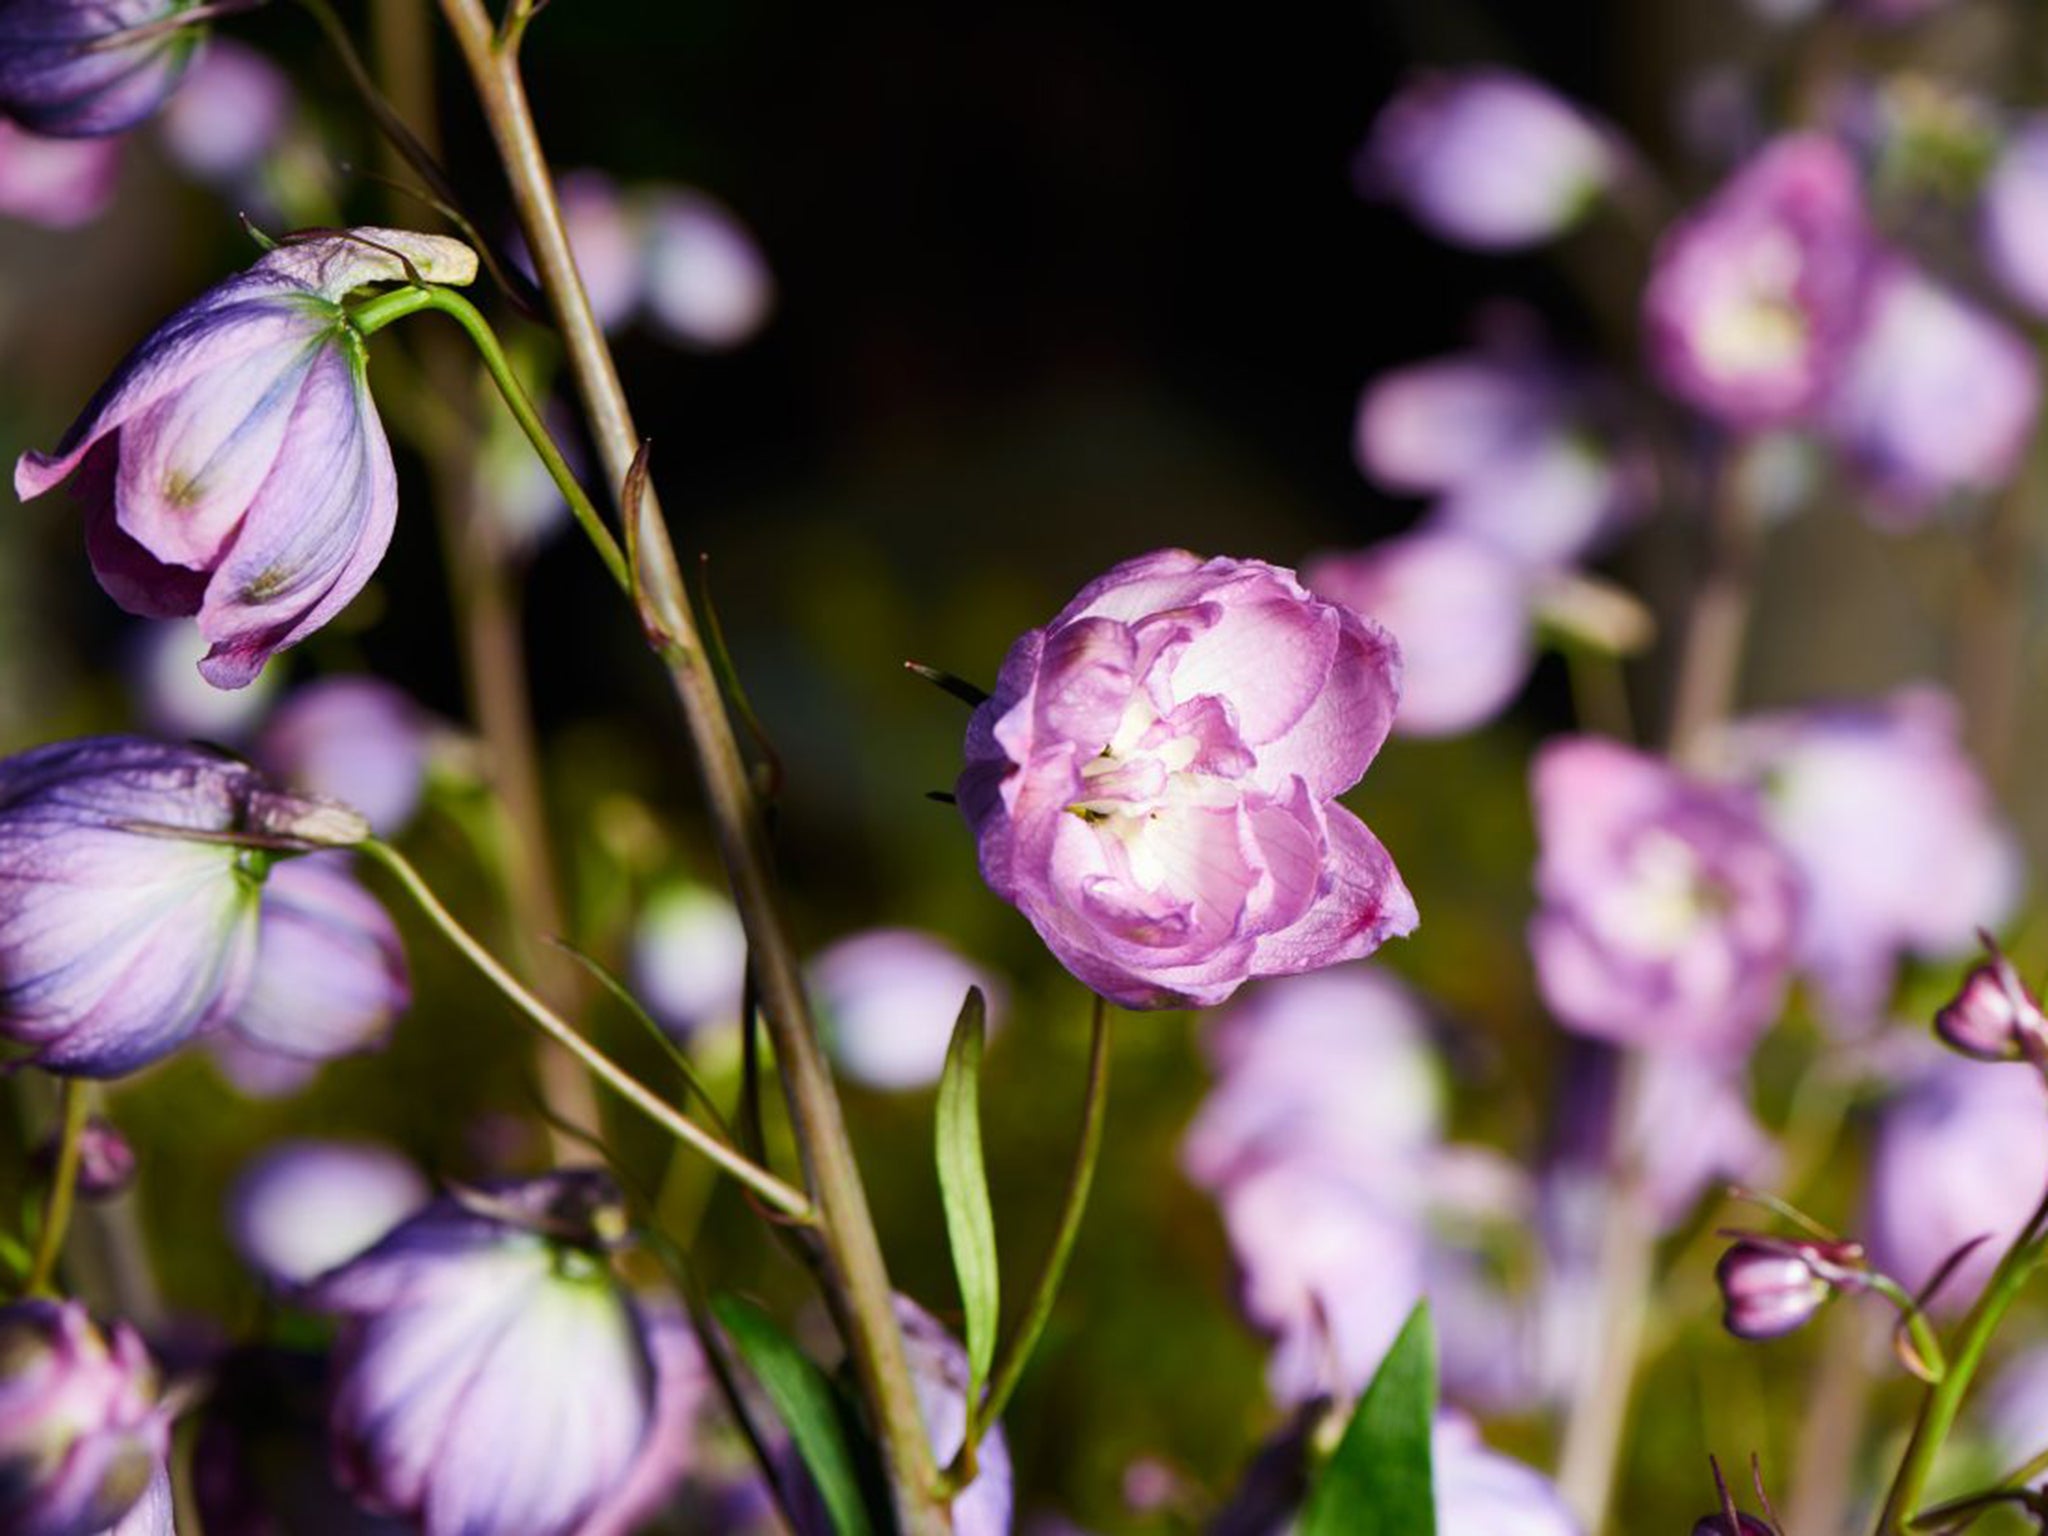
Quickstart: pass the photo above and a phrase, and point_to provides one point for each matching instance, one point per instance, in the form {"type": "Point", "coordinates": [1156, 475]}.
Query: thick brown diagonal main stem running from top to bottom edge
{"type": "Point", "coordinates": [855, 1269]}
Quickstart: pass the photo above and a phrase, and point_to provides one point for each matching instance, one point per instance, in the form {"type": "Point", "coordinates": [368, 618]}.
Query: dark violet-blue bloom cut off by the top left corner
{"type": "Point", "coordinates": [67, 73]}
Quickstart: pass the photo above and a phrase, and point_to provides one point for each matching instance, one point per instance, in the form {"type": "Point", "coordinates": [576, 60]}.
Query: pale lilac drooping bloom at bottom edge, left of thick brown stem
{"type": "Point", "coordinates": [493, 1375]}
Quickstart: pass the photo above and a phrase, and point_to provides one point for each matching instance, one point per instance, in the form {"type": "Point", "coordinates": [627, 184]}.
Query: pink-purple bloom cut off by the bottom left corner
{"type": "Point", "coordinates": [81, 1428]}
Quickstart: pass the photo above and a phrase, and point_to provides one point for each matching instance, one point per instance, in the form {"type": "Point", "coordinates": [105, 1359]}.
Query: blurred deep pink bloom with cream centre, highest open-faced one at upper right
{"type": "Point", "coordinates": [1758, 296]}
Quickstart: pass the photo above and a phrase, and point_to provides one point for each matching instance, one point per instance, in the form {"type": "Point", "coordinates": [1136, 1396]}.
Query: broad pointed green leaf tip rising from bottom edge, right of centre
{"type": "Point", "coordinates": [1379, 1480]}
